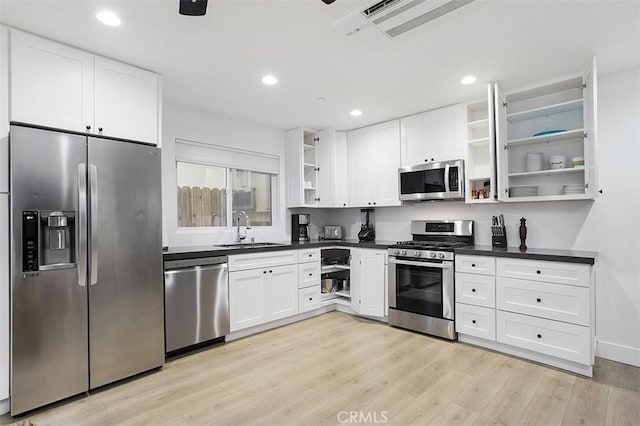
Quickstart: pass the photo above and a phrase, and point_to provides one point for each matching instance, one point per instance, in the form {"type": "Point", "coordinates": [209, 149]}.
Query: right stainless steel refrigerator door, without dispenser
{"type": "Point", "coordinates": [126, 316]}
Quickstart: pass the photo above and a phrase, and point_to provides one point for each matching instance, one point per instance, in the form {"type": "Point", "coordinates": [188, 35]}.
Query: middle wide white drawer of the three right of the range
{"type": "Point", "coordinates": [553, 301]}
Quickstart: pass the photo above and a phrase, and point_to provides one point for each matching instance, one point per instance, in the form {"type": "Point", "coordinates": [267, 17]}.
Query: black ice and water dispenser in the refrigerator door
{"type": "Point", "coordinates": [48, 240]}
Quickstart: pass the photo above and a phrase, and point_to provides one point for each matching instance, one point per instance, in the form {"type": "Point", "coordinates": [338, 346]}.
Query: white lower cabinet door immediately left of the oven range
{"type": "Point", "coordinates": [368, 281]}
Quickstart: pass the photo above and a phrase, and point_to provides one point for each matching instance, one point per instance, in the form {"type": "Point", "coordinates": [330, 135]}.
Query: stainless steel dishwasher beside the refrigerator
{"type": "Point", "coordinates": [196, 301]}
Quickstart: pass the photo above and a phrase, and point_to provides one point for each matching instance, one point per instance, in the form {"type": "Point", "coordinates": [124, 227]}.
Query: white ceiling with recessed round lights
{"type": "Point", "coordinates": [216, 62]}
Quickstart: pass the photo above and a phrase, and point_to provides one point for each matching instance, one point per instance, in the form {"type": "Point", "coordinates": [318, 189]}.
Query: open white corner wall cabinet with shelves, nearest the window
{"type": "Point", "coordinates": [313, 162]}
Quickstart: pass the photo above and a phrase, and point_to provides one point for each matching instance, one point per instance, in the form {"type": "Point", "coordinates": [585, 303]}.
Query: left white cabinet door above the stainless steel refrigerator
{"type": "Point", "coordinates": [51, 84]}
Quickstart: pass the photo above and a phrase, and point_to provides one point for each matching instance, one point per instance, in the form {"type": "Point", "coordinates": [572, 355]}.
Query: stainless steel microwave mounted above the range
{"type": "Point", "coordinates": [432, 181]}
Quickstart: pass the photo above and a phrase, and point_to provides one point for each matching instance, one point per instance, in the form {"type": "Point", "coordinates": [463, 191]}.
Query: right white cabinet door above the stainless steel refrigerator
{"type": "Point", "coordinates": [126, 101]}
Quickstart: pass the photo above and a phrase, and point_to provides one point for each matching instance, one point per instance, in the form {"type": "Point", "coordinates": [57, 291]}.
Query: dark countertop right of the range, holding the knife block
{"type": "Point", "coordinates": [553, 255]}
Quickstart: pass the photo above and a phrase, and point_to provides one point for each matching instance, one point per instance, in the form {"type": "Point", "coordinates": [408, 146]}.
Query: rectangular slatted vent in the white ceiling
{"type": "Point", "coordinates": [395, 17]}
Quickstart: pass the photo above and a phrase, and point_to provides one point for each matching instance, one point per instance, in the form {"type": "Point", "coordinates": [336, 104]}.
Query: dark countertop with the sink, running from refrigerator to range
{"type": "Point", "coordinates": [195, 252]}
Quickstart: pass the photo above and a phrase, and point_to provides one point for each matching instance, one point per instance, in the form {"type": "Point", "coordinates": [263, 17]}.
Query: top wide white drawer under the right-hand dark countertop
{"type": "Point", "coordinates": [555, 272]}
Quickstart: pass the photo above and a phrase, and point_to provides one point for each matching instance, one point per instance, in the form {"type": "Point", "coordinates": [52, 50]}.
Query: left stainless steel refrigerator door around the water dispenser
{"type": "Point", "coordinates": [48, 306]}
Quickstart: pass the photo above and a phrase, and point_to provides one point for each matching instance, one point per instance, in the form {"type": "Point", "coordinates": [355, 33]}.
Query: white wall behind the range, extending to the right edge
{"type": "Point", "coordinates": [609, 225]}
